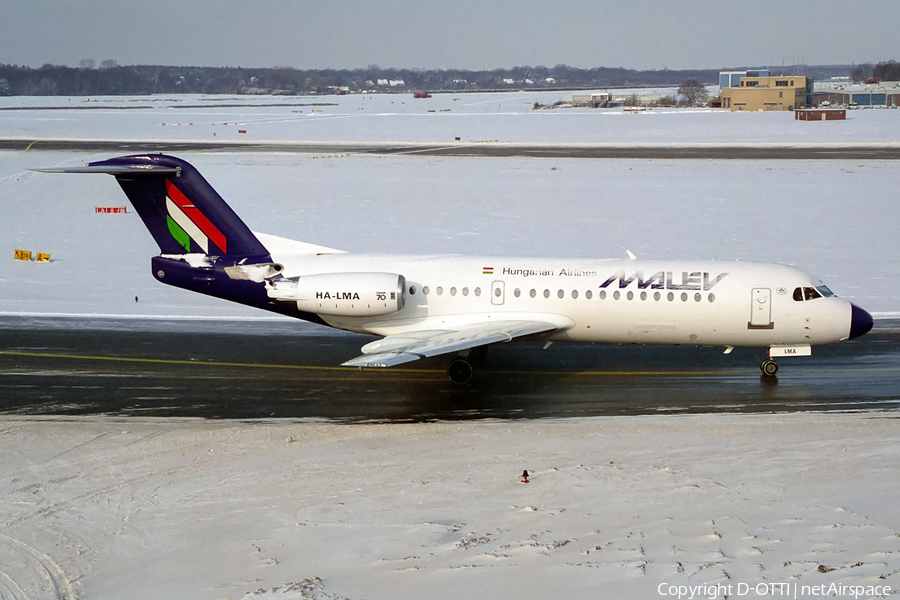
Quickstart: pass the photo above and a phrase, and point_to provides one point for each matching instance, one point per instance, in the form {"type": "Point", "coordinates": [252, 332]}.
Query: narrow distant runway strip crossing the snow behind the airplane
{"type": "Point", "coordinates": [686, 151]}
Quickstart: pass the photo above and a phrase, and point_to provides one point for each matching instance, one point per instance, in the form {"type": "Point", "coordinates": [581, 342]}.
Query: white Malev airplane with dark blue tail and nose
{"type": "Point", "coordinates": [425, 306]}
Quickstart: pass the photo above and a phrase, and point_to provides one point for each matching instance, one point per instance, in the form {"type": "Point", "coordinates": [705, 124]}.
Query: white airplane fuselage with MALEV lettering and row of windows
{"type": "Point", "coordinates": [621, 301]}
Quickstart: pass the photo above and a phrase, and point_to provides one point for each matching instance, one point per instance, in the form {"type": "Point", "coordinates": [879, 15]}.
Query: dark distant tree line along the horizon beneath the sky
{"type": "Point", "coordinates": [110, 78]}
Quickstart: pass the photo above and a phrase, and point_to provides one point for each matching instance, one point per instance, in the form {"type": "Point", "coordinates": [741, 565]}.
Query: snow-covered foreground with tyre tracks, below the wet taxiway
{"type": "Point", "coordinates": [620, 507]}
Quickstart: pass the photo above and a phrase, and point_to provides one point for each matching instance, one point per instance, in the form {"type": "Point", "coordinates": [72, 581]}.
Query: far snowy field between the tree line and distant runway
{"type": "Point", "coordinates": [474, 118]}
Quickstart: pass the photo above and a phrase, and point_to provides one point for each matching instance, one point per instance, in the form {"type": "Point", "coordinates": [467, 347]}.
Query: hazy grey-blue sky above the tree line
{"type": "Point", "coordinates": [436, 34]}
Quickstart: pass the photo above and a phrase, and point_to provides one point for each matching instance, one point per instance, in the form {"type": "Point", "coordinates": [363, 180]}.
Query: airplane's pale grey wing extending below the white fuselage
{"type": "Point", "coordinates": [406, 347]}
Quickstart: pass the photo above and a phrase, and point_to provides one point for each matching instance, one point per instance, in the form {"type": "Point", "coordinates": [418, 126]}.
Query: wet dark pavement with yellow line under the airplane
{"type": "Point", "coordinates": [272, 369]}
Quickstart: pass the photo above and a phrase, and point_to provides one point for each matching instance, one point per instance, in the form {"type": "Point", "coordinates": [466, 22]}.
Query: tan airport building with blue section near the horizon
{"type": "Point", "coordinates": [758, 90]}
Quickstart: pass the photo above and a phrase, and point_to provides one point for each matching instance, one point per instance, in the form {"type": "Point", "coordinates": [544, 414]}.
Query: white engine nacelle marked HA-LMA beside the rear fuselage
{"type": "Point", "coordinates": [351, 294]}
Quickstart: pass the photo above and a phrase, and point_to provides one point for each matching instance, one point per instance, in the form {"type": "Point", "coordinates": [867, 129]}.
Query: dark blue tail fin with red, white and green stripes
{"type": "Point", "coordinates": [181, 209]}
